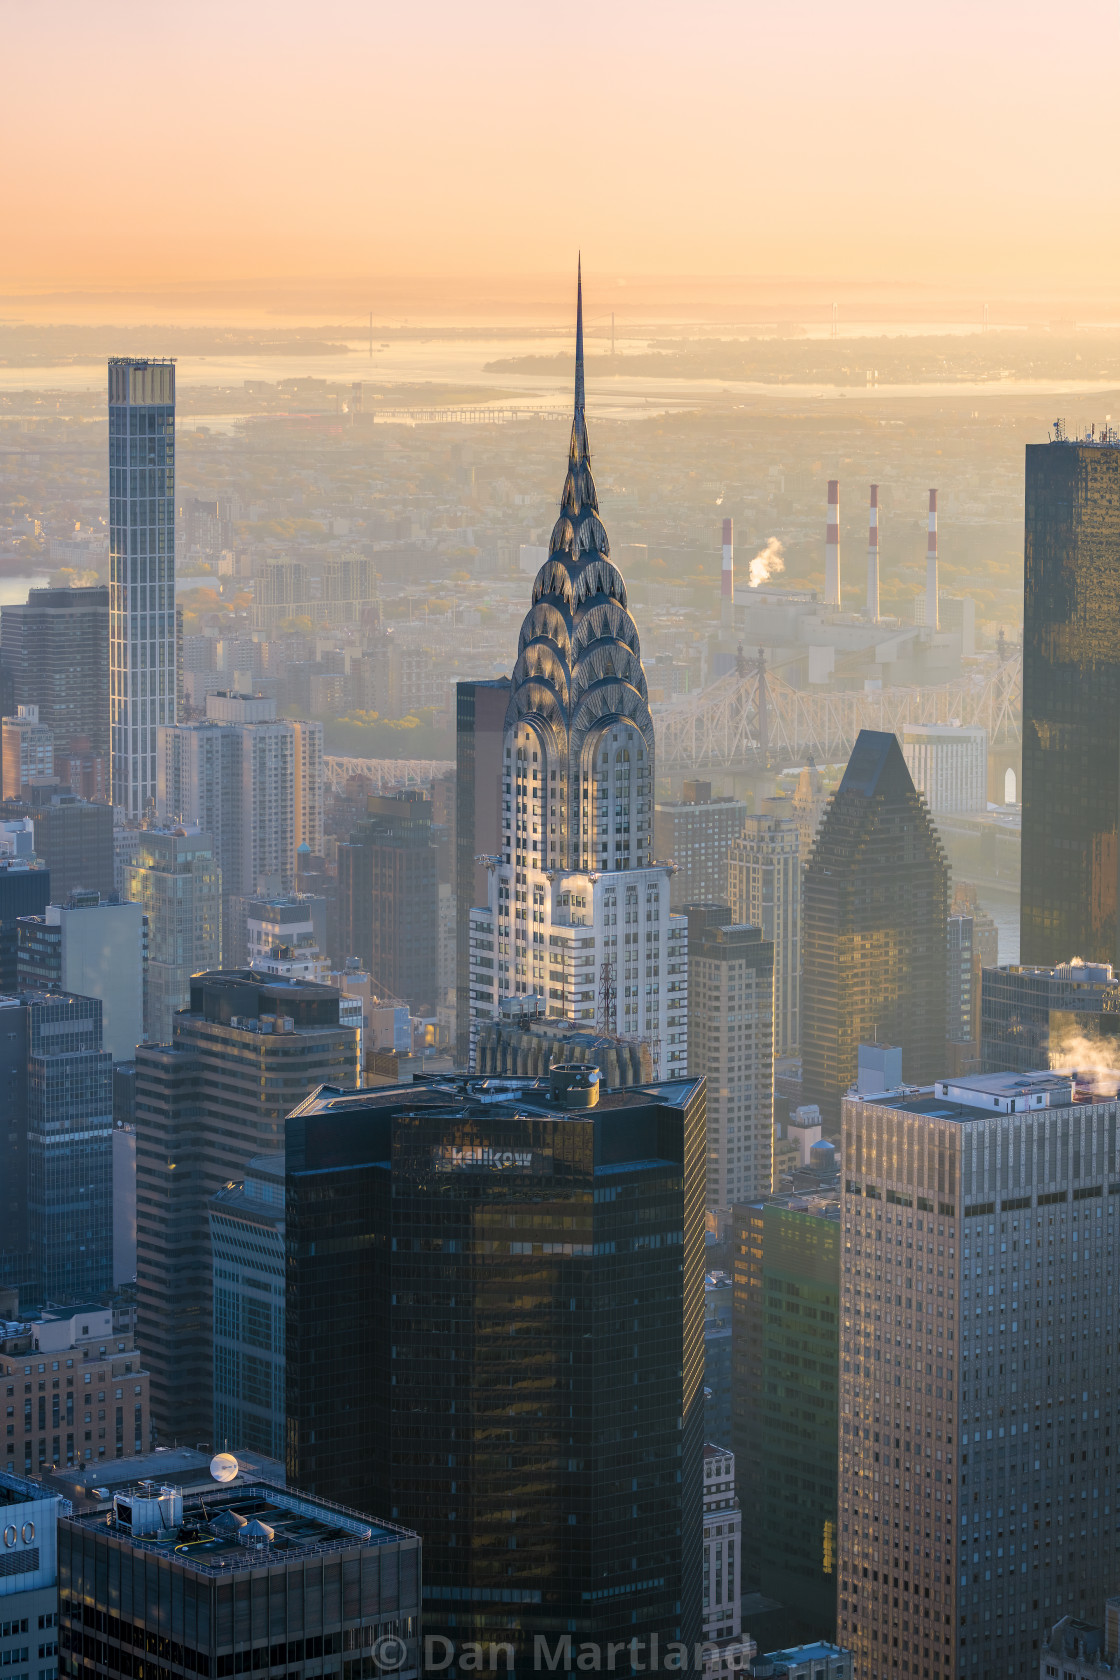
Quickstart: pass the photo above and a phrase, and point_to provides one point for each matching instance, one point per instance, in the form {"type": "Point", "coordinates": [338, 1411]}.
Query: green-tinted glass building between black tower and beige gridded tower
{"type": "Point", "coordinates": [785, 1409]}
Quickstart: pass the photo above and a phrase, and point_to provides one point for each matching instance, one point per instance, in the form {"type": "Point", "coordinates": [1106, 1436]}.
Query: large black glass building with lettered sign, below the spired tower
{"type": "Point", "coordinates": [495, 1333]}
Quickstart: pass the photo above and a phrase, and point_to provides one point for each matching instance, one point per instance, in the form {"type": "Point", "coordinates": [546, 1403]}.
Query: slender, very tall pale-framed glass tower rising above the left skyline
{"type": "Point", "coordinates": [142, 574]}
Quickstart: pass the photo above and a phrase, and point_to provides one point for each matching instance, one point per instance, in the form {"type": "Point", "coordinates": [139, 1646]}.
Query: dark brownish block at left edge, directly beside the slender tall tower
{"type": "Point", "coordinates": [58, 649]}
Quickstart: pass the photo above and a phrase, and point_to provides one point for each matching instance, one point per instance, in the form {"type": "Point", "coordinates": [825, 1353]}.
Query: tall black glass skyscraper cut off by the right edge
{"type": "Point", "coordinates": [1070, 703]}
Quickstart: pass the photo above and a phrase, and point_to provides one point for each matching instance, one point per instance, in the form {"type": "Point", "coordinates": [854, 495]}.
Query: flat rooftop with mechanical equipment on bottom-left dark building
{"type": "Point", "coordinates": [244, 1528]}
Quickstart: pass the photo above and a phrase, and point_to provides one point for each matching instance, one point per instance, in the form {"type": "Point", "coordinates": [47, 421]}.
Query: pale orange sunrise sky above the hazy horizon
{"type": "Point", "coordinates": [204, 142]}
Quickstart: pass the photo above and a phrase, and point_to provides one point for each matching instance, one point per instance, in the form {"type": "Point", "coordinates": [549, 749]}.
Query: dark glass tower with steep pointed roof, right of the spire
{"type": "Point", "coordinates": [874, 928]}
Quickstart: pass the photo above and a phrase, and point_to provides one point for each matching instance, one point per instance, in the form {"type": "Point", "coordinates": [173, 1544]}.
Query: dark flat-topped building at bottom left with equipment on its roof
{"type": "Point", "coordinates": [239, 1580]}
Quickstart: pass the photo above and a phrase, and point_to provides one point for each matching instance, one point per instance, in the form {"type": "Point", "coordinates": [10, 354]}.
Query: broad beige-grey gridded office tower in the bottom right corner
{"type": "Point", "coordinates": [978, 1392]}
